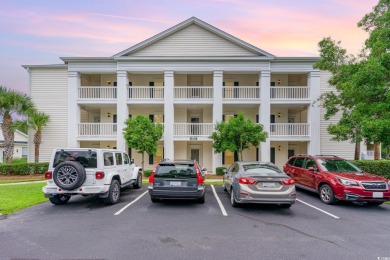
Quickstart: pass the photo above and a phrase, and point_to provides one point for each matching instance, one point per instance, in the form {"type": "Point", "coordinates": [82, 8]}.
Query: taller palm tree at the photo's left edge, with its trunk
{"type": "Point", "coordinates": [12, 103]}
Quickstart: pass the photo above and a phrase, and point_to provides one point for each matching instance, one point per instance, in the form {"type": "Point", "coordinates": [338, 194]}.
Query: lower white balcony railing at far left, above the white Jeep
{"type": "Point", "coordinates": [92, 131]}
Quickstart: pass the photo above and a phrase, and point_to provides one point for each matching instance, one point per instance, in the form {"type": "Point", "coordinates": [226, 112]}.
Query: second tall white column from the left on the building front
{"type": "Point", "coordinates": [121, 108]}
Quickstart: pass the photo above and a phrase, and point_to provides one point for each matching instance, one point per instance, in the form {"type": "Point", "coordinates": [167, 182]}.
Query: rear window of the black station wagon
{"type": "Point", "coordinates": [176, 171]}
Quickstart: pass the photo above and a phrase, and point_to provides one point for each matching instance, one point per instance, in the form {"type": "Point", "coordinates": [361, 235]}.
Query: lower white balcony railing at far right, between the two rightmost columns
{"type": "Point", "coordinates": [295, 131]}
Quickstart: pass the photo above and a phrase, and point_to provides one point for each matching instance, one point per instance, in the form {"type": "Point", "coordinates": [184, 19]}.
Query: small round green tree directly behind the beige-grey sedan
{"type": "Point", "coordinates": [237, 135]}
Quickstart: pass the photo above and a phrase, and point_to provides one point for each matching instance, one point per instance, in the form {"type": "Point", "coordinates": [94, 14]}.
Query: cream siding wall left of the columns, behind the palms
{"type": "Point", "coordinates": [49, 91]}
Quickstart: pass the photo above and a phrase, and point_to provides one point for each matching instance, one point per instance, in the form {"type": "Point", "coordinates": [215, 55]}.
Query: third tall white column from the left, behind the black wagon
{"type": "Point", "coordinates": [169, 112]}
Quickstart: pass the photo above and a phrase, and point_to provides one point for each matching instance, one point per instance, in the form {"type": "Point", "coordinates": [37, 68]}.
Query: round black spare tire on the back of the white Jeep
{"type": "Point", "coordinates": [69, 175]}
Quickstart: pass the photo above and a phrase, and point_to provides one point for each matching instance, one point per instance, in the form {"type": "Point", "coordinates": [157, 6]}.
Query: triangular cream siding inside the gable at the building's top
{"type": "Point", "coordinates": [193, 41]}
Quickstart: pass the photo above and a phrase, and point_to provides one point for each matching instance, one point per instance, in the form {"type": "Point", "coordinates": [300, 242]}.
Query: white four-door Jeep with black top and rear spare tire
{"type": "Point", "coordinates": [89, 171]}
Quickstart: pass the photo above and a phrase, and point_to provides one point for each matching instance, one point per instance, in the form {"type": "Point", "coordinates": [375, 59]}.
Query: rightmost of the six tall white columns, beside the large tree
{"type": "Point", "coordinates": [314, 113]}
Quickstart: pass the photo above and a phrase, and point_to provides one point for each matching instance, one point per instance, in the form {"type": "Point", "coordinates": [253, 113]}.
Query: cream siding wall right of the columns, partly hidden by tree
{"type": "Point", "coordinates": [342, 149]}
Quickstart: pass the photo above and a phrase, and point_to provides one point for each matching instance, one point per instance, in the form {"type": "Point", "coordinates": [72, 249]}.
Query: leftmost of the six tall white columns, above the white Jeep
{"type": "Point", "coordinates": [73, 108]}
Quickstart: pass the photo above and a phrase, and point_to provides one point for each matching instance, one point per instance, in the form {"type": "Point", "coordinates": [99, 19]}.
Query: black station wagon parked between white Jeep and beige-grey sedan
{"type": "Point", "coordinates": [177, 179]}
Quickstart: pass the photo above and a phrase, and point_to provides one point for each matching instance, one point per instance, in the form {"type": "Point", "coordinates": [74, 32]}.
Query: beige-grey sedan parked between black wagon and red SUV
{"type": "Point", "coordinates": [258, 182]}
